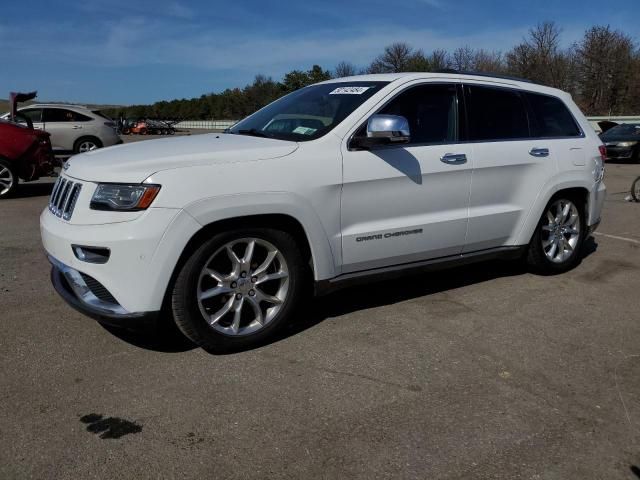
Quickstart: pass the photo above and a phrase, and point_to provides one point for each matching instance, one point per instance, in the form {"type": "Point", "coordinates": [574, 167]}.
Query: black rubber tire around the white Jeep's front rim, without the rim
{"type": "Point", "coordinates": [184, 303]}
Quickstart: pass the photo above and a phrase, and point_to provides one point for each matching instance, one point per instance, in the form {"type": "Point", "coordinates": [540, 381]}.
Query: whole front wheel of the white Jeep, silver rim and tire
{"type": "Point", "coordinates": [238, 288]}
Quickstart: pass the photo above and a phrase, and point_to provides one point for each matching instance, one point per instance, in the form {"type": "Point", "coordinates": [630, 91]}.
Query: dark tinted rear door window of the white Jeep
{"type": "Point", "coordinates": [495, 114]}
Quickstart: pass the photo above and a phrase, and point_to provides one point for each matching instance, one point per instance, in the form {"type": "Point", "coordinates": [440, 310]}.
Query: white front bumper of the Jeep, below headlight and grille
{"type": "Point", "coordinates": [143, 255]}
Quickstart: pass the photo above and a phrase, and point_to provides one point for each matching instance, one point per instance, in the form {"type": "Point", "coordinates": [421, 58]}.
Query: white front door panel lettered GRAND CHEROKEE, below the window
{"type": "Point", "coordinates": [403, 204]}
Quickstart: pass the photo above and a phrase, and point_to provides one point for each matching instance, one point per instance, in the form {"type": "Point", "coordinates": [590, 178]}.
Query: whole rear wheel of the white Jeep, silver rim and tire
{"type": "Point", "coordinates": [555, 247]}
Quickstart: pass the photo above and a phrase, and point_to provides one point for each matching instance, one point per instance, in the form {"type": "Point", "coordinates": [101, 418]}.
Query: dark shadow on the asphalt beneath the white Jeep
{"type": "Point", "coordinates": [167, 338]}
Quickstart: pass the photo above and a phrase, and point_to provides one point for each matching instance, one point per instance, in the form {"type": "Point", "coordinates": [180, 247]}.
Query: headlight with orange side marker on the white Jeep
{"type": "Point", "coordinates": [112, 196]}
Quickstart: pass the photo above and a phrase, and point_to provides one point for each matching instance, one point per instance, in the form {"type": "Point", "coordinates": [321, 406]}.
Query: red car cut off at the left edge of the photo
{"type": "Point", "coordinates": [25, 153]}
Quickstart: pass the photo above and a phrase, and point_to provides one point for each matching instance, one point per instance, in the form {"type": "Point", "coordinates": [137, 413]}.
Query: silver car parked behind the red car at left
{"type": "Point", "coordinates": [73, 128]}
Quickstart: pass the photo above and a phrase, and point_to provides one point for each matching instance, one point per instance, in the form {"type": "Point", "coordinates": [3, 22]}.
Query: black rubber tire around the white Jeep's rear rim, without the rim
{"type": "Point", "coordinates": [537, 258]}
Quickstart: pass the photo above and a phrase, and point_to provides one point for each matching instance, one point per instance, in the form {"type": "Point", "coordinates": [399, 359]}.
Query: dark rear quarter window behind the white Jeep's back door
{"type": "Point", "coordinates": [551, 117]}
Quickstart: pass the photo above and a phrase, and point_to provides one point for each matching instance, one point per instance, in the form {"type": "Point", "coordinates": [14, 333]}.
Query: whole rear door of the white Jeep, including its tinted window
{"type": "Point", "coordinates": [510, 167]}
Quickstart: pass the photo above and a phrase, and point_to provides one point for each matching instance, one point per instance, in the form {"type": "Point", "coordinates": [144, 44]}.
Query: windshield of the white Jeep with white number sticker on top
{"type": "Point", "coordinates": [307, 113]}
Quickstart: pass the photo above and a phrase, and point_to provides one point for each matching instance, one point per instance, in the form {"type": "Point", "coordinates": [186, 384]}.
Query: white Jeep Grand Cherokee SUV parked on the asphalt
{"type": "Point", "coordinates": [351, 179]}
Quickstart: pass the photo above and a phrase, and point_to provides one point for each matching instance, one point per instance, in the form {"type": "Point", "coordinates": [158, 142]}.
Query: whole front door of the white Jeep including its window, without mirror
{"type": "Point", "coordinates": [404, 203]}
